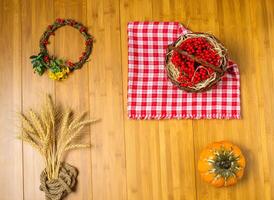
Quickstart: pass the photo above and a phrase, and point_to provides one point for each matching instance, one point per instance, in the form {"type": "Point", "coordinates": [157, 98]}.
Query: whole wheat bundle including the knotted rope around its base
{"type": "Point", "coordinates": [52, 132]}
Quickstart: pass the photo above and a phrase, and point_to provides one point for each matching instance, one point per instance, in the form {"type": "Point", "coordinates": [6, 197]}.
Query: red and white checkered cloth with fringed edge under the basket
{"type": "Point", "coordinates": [152, 96]}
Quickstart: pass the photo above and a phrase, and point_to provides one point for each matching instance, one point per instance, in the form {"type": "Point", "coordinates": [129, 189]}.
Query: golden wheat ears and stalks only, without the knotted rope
{"type": "Point", "coordinates": [52, 132]}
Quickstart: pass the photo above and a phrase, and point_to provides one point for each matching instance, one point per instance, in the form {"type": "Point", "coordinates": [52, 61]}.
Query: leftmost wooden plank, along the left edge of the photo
{"type": "Point", "coordinates": [10, 100]}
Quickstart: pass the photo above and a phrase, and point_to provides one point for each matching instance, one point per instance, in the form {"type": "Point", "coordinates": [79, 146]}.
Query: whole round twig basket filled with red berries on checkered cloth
{"type": "Point", "coordinates": [196, 62]}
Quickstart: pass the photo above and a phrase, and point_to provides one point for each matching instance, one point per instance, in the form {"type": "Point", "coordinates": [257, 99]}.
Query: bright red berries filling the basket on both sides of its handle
{"type": "Point", "coordinates": [192, 72]}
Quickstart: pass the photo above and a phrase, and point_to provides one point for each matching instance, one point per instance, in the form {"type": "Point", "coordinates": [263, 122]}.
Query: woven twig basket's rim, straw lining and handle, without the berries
{"type": "Point", "coordinates": [219, 71]}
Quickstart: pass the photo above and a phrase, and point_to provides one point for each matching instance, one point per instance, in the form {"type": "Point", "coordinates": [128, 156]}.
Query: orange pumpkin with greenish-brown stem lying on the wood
{"type": "Point", "coordinates": [221, 164]}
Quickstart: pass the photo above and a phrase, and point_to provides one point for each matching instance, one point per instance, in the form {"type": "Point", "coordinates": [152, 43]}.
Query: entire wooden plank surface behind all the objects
{"type": "Point", "coordinates": [135, 160]}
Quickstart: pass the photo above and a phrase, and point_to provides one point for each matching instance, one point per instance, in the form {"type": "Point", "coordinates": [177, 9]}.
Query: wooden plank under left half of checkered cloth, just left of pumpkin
{"type": "Point", "coordinates": [156, 149]}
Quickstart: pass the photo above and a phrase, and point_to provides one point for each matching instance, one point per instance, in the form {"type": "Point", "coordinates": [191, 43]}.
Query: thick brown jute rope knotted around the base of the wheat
{"type": "Point", "coordinates": [56, 189]}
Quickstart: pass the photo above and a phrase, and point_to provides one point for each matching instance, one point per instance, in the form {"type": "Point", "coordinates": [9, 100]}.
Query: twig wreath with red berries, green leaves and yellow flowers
{"type": "Point", "coordinates": [59, 68]}
